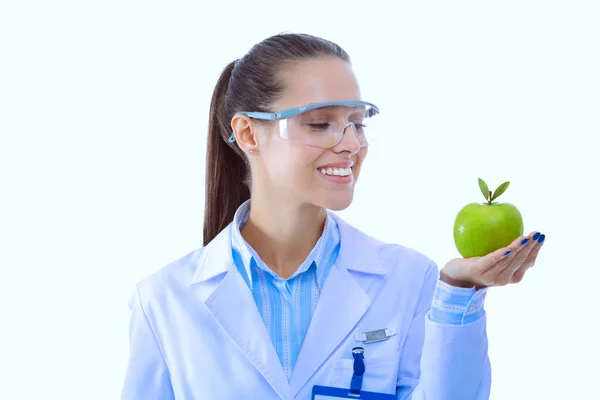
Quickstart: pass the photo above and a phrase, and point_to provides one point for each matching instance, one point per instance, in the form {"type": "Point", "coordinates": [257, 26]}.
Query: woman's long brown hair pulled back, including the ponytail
{"type": "Point", "coordinates": [252, 83]}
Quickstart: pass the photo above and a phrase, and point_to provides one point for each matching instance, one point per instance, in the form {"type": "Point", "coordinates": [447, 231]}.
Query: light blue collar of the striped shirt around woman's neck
{"type": "Point", "coordinates": [329, 240]}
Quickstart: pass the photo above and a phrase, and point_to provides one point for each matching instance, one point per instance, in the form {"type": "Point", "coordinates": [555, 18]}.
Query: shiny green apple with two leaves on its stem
{"type": "Point", "coordinates": [481, 228]}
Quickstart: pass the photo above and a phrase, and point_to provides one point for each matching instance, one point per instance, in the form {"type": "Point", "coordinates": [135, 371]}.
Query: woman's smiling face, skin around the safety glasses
{"type": "Point", "coordinates": [304, 174]}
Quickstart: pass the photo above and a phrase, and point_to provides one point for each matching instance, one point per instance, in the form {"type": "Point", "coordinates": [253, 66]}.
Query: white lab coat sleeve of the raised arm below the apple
{"type": "Point", "coordinates": [442, 361]}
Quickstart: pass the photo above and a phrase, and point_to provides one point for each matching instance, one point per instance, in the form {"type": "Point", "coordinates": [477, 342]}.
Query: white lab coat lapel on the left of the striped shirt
{"type": "Point", "coordinates": [232, 305]}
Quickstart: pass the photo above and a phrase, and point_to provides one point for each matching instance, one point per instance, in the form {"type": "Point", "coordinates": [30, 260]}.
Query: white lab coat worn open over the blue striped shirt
{"type": "Point", "coordinates": [196, 332]}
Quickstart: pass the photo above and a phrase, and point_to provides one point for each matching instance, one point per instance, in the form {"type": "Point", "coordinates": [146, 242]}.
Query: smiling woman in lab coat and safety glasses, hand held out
{"type": "Point", "coordinates": [286, 298]}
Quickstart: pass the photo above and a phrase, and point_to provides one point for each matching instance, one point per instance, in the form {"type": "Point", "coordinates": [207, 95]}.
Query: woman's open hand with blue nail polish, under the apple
{"type": "Point", "coordinates": [496, 268]}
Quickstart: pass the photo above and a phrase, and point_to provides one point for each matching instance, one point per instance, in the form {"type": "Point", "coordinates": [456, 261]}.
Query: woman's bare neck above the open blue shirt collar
{"type": "Point", "coordinates": [282, 234]}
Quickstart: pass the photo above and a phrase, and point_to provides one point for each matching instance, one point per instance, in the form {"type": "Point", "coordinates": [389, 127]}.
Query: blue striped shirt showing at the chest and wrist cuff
{"type": "Point", "coordinates": [287, 305]}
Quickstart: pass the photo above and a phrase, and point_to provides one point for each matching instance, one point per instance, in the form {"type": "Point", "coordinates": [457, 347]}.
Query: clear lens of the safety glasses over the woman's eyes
{"type": "Point", "coordinates": [325, 127]}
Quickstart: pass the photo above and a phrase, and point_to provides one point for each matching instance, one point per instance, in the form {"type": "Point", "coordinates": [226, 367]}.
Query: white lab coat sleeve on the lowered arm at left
{"type": "Point", "coordinates": [147, 376]}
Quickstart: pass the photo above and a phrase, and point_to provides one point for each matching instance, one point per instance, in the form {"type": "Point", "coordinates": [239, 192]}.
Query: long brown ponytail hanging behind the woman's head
{"type": "Point", "coordinates": [226, 165]}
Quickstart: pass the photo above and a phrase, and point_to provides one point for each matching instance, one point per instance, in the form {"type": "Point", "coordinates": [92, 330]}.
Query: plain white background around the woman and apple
{"type": "Point", "coordinates": [103, 120]}
